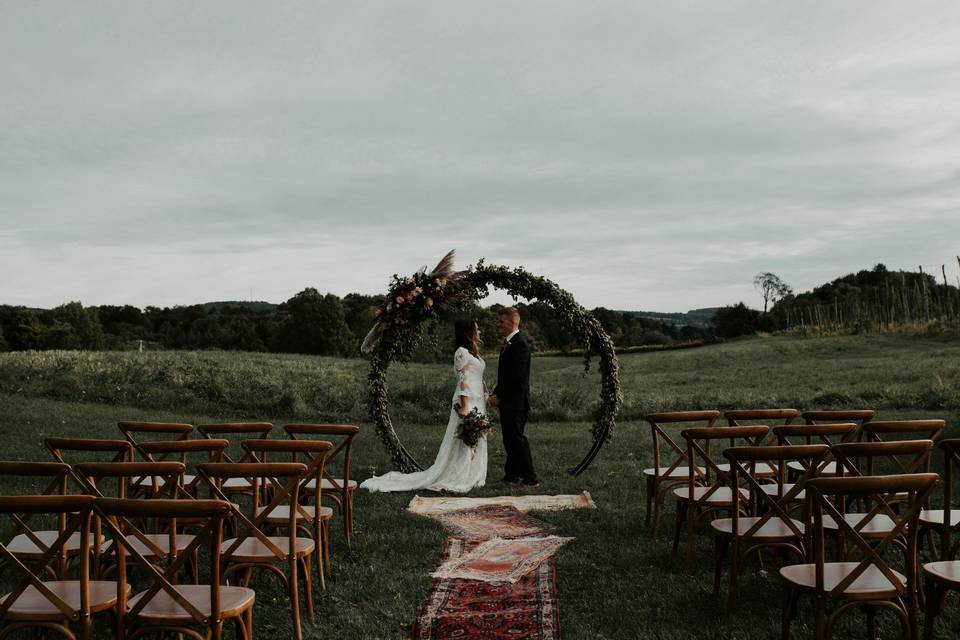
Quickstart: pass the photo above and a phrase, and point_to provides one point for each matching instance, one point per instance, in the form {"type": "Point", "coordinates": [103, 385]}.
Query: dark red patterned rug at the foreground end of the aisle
{"type": "Point", "coordinates": [523, 610]}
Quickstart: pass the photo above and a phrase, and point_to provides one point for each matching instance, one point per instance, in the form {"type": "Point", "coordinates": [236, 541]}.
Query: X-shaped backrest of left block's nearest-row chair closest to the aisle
{"type": "Point", "coordinates": [120, 514]}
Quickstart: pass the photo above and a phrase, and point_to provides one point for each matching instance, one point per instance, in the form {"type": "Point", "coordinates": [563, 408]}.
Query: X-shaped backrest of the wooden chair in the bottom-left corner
{"type": "Point", "coordinates": [75, 512]}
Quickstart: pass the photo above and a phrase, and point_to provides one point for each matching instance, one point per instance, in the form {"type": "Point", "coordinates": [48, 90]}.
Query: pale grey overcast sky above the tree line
{"type": "Point", "coordinates": [643, 155]}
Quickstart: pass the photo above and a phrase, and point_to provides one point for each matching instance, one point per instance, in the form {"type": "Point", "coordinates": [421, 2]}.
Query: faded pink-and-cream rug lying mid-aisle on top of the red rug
{"type": "Point", "coordinates": [498, 561]}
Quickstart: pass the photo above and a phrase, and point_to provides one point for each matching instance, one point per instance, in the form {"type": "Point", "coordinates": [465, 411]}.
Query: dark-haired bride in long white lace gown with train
{"type": "Point", "coordinates": [458, 467]}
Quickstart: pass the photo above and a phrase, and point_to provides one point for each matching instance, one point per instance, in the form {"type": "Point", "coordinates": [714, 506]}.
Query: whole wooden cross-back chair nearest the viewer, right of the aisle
{"type": "Point", "coordinates": [869, 580]}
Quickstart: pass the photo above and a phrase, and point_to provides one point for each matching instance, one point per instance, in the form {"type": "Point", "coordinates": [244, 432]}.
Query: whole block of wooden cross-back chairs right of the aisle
{"type": "Point", "coordinates": [765, 483]}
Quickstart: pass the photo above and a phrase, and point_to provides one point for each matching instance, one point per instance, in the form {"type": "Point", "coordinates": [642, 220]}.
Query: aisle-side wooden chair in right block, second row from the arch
{"type": "Point", "coordinates": [707, 490]}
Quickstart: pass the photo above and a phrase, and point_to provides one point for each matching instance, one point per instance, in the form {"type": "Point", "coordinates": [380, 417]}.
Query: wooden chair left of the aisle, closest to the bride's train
{"type": "Point", "coordinates": [339, 488]}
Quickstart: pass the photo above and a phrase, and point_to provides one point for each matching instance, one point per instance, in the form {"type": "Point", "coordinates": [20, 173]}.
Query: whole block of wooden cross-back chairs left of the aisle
{"type": "Point", "coordinates": [274, 489]}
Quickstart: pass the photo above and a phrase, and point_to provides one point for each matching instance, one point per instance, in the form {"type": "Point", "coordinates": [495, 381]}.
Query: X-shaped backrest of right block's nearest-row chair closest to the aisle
{"type": "Point", "coordinates": [825, 498]}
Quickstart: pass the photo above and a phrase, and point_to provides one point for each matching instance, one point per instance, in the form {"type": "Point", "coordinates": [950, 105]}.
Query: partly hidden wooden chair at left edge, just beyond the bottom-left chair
{"type": "Point", "coordinates": [28, 544]}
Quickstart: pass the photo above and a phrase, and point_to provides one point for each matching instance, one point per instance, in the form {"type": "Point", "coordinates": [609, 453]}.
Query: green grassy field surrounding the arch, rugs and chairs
{"type": "Point", "coordinates": [615, 581]}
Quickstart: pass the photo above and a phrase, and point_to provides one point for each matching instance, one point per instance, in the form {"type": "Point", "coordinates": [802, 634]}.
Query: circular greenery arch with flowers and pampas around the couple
{"type": "Point", "coordinates": [422, 297]}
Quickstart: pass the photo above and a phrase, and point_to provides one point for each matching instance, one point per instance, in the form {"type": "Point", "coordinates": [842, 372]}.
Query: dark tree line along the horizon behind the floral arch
{"type": "Point", "coordinates": [310, 322]}
